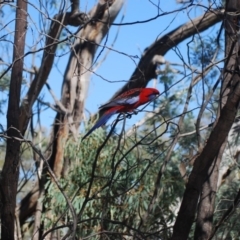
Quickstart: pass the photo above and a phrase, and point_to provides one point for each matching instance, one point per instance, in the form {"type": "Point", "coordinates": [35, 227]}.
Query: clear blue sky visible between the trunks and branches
{"type": "Point", "coordinates": [117, 68]}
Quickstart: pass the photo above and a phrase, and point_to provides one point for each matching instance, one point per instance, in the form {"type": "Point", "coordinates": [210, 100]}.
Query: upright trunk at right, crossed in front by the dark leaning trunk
{"type": "Point", "coordinates": [204, 224]}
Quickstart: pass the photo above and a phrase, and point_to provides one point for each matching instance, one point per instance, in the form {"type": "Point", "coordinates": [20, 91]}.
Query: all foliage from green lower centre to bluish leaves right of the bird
{"type": "Point", "coordinates": [132, 187]}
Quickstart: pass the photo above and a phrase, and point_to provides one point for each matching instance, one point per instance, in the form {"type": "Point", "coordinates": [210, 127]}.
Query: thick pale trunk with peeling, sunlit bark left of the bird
{"type": "Point", "coordinates": [77, 77]}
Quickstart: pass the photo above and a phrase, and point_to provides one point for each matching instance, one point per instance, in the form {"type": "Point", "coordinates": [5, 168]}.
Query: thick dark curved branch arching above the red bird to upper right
{"type": "Point", "coordinates": [146, 69]}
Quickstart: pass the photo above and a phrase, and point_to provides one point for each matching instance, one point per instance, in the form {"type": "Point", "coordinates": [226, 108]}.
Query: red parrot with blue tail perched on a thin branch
{"type": "Point", "coordinates": [124, 103]}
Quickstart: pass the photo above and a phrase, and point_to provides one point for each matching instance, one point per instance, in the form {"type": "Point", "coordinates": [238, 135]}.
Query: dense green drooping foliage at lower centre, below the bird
{"type": "Point", "coordinates": [121, 183]}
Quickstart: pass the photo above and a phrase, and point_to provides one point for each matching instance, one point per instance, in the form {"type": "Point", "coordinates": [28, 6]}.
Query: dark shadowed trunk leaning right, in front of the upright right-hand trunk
{"type": "Point", "coordinates": [203, 162]}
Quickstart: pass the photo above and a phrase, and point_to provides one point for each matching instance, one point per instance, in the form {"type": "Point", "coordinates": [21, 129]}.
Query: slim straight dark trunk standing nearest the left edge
{"type": "Point", "coordinates": [10, 172]}
